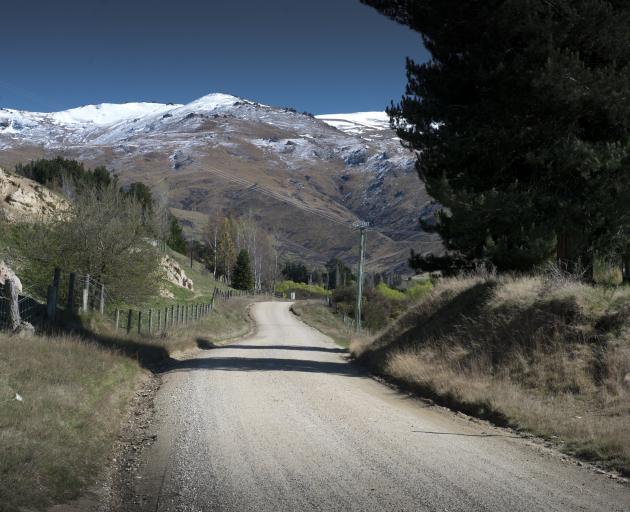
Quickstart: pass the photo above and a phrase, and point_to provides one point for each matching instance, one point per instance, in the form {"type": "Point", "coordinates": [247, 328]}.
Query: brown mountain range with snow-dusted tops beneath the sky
{"type": "Point", "coordinates": [346, 165]}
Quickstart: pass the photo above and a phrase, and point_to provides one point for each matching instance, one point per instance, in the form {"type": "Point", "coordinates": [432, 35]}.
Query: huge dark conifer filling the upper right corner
{"type": "Point", "coordinates": [523, 119]}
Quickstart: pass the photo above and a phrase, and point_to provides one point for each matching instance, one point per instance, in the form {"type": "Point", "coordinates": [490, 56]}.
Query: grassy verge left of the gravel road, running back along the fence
{"type": "Point", "coordinates": [75, 390]}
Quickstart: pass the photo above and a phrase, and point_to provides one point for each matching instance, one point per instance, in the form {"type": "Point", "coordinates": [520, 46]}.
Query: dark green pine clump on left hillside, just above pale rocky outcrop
{"type": "Point", "coordinates": [65, 175]}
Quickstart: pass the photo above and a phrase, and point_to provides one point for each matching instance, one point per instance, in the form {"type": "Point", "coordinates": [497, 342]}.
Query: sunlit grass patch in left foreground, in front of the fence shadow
{"type": "Point", "coordinates": [54, 442]}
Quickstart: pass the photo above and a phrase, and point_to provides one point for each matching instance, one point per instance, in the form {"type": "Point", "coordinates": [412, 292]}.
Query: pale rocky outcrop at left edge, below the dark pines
{"type": "Point", "coordinates": [24, 200]}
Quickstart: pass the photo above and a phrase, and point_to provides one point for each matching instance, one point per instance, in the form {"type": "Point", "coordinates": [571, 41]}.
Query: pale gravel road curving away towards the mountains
{"type": "Point", "coordinates": [281, 422]}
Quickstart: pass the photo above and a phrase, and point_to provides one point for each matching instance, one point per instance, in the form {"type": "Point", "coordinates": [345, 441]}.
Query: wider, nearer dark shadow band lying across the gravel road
{"type": "Point", "coordinates": [263, 364]}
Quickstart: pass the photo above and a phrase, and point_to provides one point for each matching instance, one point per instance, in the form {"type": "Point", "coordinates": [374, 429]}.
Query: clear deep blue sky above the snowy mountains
{"type": "Point", "coordinates": [320, 56]}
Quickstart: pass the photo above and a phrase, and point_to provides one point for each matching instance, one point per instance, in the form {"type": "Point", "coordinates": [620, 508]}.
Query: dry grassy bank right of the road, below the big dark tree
{"type": "Point", "coordinates": [549, 357]}
